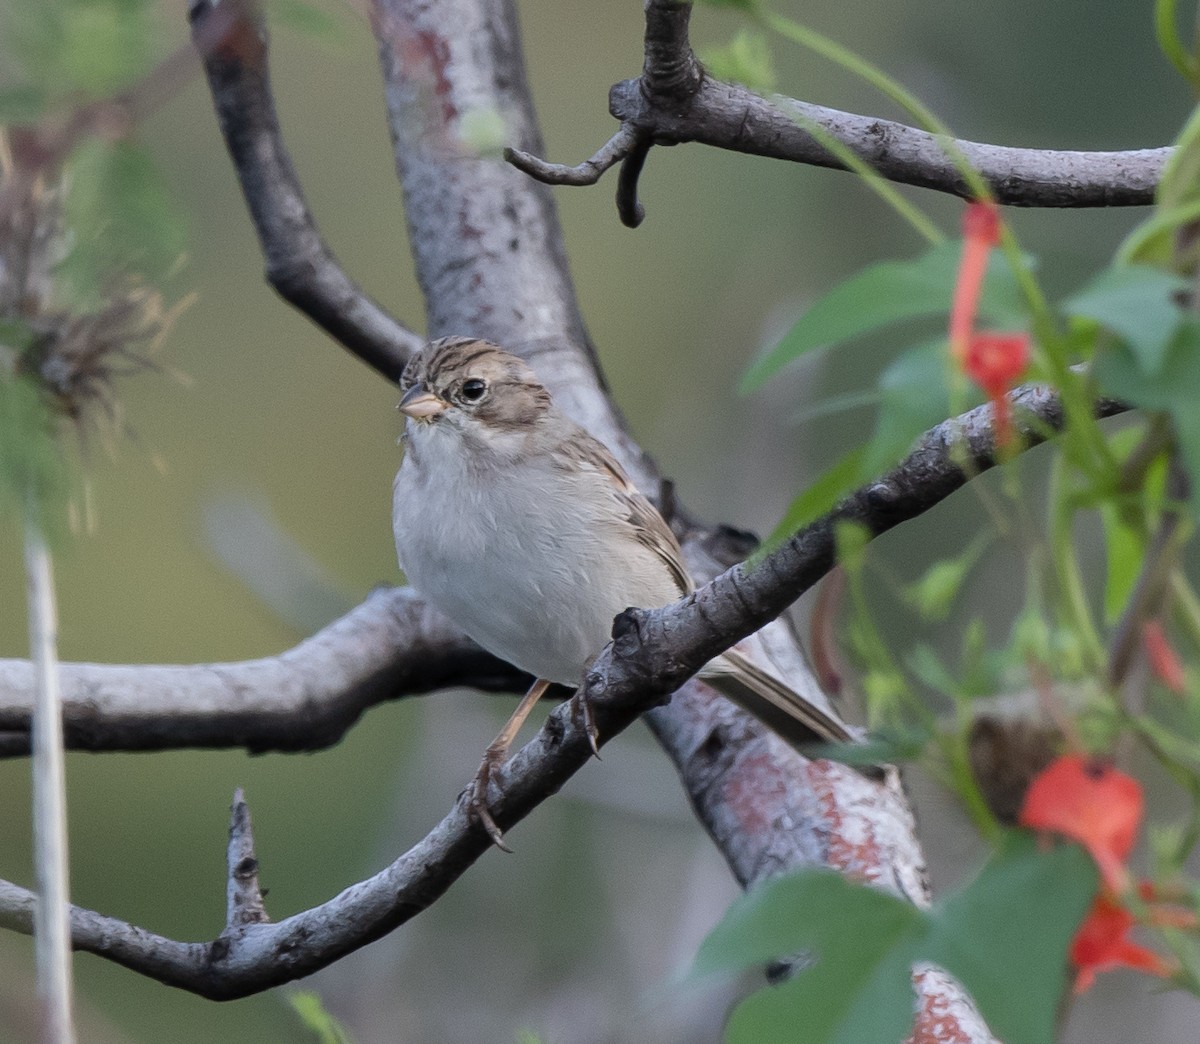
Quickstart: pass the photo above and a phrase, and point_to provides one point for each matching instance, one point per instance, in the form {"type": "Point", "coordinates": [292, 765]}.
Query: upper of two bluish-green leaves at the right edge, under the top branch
{"type": "Point", "coordinates": [1137, 303]}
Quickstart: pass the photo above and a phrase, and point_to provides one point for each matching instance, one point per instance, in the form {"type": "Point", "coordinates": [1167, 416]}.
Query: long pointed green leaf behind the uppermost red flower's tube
{"type": "Point", "coordinates": [885, 295]}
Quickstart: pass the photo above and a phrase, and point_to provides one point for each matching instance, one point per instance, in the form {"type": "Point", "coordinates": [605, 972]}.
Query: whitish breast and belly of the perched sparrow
{"type": "Point", "coordinates": [531, 560]}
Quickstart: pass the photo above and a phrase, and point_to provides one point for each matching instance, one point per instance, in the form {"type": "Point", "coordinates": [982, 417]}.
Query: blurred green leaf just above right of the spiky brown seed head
{"type": "Point", "coordinates": [121, 215]}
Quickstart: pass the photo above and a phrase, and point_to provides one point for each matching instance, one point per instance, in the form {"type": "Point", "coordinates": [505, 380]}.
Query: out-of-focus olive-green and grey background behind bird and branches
{"type": "Point", "coordinates": [279, 436]}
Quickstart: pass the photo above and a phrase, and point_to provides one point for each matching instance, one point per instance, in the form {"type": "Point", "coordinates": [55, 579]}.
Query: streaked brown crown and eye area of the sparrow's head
{"type": "Point", "coordinates": [452, 368]}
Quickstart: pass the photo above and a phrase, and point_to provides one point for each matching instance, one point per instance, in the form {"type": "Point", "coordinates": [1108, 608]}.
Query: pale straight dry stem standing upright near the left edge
{"type": "Point", "coordinates": [53, 931]}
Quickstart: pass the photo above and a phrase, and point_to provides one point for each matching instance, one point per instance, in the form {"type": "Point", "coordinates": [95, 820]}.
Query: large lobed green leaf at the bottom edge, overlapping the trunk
{"type": "Point", "coordinates": [1005, 938]}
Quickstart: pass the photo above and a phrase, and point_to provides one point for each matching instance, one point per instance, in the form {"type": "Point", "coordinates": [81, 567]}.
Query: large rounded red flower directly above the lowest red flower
{"type": "Point", "coordinates": [1090, 802]}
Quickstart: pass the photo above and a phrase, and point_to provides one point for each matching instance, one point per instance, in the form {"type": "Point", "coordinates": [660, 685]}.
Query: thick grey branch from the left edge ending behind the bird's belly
{"type": "Point", "coordinates": [305, 699]}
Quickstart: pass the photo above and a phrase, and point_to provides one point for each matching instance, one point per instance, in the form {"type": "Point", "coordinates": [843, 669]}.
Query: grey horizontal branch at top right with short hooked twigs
{"type": "Point", "coordinates": [675, 103]}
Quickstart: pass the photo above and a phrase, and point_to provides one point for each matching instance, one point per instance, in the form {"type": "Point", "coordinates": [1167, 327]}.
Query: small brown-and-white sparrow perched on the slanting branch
{"type": "Point", "coordinates": [524, 530]}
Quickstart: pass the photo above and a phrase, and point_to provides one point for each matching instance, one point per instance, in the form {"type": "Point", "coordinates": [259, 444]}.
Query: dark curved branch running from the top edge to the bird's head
{"type": "Point", "coordinates": [231, 38]}
